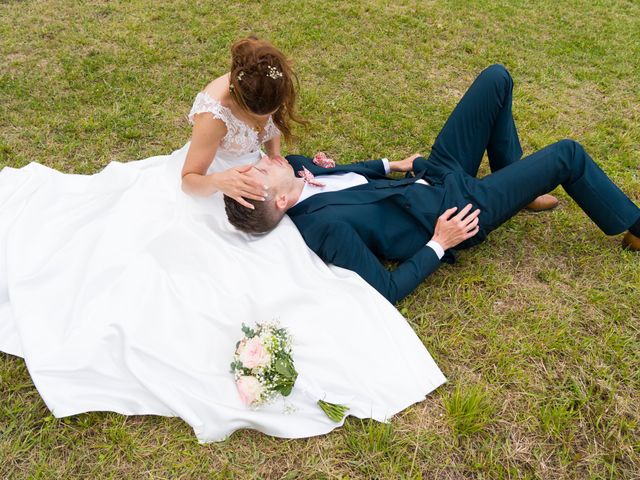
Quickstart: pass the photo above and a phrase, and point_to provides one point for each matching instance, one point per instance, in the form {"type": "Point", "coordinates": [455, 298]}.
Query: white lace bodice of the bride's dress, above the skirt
{"type": "Point", "coordinates": [241, 143]}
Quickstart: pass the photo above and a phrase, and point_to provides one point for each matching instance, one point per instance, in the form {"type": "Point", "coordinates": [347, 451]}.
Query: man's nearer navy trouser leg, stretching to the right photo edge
{"type": "Point", "coordinates": [504, 193]}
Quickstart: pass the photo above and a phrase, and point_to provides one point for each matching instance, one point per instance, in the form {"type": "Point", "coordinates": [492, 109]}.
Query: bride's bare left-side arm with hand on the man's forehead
{"type": "Point", "coordinates": [205, 139]}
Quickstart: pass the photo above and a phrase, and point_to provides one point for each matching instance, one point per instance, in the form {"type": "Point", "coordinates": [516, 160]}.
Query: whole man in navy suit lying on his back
{"type": "Point", "coordinates": [352, 215]}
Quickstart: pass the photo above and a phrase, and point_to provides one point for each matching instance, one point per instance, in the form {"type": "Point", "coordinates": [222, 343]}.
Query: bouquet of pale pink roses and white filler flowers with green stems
{"type": "Point", "coordinates": [263, 368]}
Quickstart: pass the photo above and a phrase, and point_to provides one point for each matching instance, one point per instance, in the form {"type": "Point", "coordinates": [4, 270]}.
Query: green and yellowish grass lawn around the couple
{"type": "Point", "coordinates": [536, 330]}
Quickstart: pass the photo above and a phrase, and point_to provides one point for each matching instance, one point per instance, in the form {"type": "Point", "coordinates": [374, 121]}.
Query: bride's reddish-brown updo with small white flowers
{"type": "Point", "coordinates": [262, 81]}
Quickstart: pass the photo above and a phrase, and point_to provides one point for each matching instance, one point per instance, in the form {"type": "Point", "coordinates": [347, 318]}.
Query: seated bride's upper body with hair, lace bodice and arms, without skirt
{"type": "Point", "coordinates": [234, 115]}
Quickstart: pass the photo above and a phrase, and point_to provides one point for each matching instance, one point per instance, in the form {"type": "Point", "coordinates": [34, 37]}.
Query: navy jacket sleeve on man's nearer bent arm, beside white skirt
{"type": "Point", "coordinates": [340, 245]}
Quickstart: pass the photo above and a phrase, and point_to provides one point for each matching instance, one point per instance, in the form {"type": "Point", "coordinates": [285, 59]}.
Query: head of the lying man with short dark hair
{"type": "Point", "coordinates": [278, 176]}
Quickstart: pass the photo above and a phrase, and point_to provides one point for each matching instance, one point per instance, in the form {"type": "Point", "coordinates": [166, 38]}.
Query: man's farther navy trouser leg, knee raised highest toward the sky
{"type": "Point", "coordinates": [481, 121]}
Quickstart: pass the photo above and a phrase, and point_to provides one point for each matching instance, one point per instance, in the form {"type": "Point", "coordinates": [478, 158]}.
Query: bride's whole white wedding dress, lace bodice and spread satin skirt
{"type": "Point", "coordinates": [124, 294]}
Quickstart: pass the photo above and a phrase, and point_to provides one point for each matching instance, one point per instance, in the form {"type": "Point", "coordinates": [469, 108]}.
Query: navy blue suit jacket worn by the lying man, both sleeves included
{"type": "Point", "coordinates": [383, 219]}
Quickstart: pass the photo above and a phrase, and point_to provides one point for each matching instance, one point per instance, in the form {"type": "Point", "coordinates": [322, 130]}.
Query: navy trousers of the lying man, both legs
{"type": "Point", "coordinates": [483, 120]}
